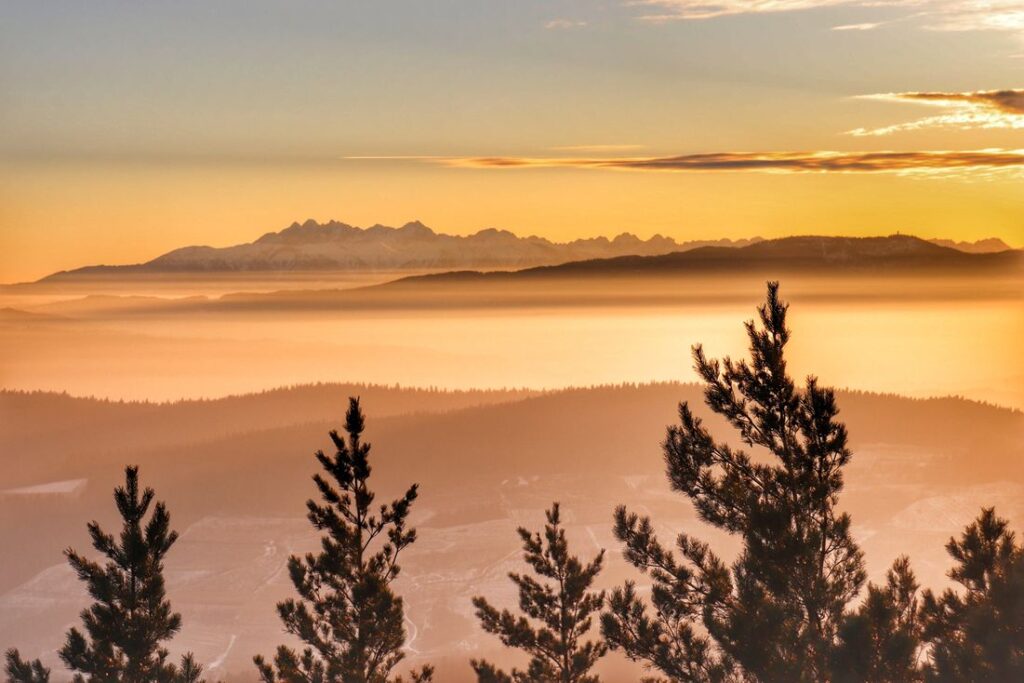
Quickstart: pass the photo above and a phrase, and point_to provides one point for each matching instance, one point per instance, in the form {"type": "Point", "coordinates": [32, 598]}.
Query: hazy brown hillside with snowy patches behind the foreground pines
{"type": "Point", "coordinates": [236, 472]}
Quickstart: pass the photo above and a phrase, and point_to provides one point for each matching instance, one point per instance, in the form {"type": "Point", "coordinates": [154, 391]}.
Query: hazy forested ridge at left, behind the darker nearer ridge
{"type": "Point", "coordinates": [40, 422]}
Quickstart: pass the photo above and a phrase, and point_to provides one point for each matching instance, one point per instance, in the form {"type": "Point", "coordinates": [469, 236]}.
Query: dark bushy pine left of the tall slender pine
{"type": "Point", "coordinates": [131, 617]}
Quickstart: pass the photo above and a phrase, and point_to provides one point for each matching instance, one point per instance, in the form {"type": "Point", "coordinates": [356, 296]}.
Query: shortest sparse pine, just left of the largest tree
{"type": "Point", "coordinates": [564, 607]}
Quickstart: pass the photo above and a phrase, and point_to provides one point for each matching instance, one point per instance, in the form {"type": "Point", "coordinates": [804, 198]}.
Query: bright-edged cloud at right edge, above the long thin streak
{"type": "Point", "coordinates": [982, 109]}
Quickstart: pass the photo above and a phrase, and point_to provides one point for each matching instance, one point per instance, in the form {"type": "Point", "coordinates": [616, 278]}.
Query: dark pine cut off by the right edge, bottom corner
{"type": "Point", "coordinates": [977, 635]}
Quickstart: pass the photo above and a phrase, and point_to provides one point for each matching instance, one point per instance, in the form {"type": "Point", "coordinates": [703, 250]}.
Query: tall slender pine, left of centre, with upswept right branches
{"type": "Point", "coordinates": [350, 618]}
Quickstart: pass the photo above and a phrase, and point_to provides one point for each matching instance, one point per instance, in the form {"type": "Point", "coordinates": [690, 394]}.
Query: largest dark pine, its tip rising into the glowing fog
{"type": "Point", "coordinates": [775, 615]}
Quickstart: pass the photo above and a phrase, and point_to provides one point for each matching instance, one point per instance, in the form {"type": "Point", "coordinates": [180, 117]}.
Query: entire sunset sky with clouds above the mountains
{"type": "Point", "coordinates": [130, 130]}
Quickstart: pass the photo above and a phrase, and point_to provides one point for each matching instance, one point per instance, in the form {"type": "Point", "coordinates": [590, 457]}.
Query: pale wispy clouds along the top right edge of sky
{"type": "Point", "coordinates": [934, 15]}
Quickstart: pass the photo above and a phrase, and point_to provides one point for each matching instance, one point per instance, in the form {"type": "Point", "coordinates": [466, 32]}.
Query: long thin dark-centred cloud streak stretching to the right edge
{"type": "Point", "coordinates": [923, 163]}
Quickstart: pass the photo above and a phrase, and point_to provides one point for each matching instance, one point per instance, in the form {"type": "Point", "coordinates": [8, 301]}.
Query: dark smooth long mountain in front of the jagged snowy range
{"type": "Point", "coordinates": [805, 263]}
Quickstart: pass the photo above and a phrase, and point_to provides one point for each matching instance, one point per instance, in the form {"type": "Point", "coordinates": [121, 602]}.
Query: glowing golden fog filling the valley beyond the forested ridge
{"type": "Point", "coordinates": [910, 333]}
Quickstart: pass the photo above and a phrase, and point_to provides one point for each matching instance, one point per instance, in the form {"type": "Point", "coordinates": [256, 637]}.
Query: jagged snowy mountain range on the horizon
{"type": "Point", "coordinates": [339, 247]}
